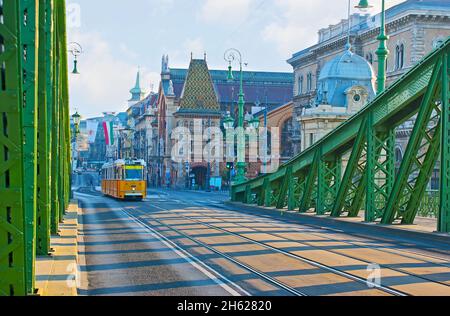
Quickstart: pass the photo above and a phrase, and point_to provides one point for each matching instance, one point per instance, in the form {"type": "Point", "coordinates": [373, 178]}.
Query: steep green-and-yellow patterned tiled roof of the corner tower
{"type": "Point", "coordinates": [198, 92]}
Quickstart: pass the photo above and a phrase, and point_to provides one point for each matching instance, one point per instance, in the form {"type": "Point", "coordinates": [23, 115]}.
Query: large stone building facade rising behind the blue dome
{"type": "Point", "coordinates": [415, 29]}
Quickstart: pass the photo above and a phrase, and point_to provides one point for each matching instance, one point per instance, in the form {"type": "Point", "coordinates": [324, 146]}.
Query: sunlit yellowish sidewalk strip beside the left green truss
{"type": "Point", "coordinates": [57, 275]}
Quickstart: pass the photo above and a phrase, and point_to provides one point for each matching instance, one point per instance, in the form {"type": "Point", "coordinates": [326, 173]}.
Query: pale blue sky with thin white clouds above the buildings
{"type": "Point", "coordinates": [118, 37]}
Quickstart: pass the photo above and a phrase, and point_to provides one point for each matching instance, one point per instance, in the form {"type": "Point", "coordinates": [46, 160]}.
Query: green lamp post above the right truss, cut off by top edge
{"type": "Point", "coordinates": [382, 51]}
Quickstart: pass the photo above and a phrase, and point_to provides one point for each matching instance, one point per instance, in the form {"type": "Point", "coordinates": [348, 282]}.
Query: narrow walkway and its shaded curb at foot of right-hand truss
{"type": "Point", "coordinates": [424, 228]}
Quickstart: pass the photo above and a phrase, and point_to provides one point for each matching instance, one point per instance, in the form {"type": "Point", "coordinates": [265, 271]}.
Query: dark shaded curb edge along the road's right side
{"type": "Point", "coordinates": [331, 223]}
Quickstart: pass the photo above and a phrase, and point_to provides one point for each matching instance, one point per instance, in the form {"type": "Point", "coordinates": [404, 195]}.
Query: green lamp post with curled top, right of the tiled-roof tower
{"type": "Point", "coordinates": [233, 55]}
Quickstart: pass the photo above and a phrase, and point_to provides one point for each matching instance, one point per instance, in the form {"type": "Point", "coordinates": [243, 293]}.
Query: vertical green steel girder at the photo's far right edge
{"type": "Point", "coordinates": [444, 212]}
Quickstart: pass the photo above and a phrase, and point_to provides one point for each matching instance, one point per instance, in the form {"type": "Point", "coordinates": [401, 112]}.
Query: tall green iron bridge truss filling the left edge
{"type": "Point", "coordinates": [34, 136]}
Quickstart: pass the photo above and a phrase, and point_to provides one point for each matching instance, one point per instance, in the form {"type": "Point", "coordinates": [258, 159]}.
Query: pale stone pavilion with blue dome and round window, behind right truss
{"type": "Point", "coordinates": [346, 84]}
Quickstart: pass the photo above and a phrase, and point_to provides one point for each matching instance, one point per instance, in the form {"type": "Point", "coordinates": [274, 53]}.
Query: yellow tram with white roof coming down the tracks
{"type": "Point", "coordinates": [124, 179]}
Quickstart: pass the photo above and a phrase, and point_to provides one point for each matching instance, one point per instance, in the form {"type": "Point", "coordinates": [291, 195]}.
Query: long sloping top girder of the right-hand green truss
{"type": "Point", "coordinates": [398, 103]}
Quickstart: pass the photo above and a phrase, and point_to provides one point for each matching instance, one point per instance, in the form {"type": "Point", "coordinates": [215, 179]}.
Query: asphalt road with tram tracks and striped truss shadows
{"type": "Point", "coordinates": [191, 244]}
